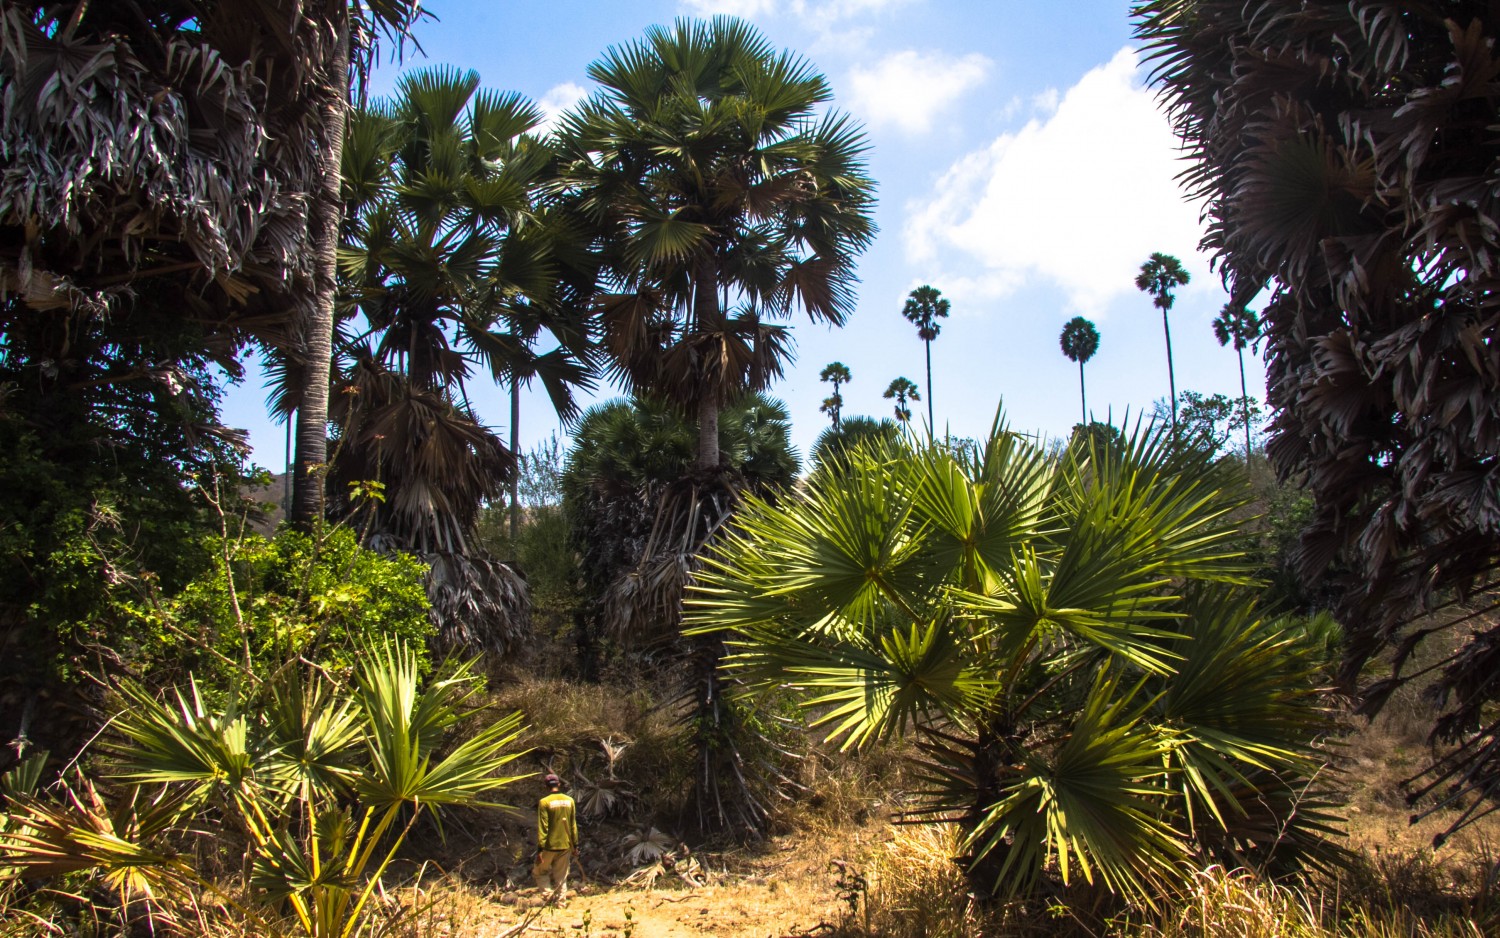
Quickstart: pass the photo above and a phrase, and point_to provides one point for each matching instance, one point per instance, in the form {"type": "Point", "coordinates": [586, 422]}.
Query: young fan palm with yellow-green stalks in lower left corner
{"type": "Point", "coordinates": [320, 780]}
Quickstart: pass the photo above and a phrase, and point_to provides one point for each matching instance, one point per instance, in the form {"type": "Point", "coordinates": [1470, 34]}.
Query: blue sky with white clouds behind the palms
{"type": "Point", "coordinates": [1025, 170]}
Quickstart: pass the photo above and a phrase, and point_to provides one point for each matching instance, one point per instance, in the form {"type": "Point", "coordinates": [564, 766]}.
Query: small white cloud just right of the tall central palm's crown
{"type": "Point", "coordinates": [910, 89]}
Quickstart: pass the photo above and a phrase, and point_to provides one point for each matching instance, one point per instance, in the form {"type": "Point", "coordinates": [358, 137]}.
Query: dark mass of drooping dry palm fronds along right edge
{"type": "Point", "coordinates": [1346, 155]}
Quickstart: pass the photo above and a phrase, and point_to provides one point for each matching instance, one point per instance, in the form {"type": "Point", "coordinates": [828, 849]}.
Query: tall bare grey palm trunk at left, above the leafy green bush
{"type": "Point", "coordinates": [326, 217]}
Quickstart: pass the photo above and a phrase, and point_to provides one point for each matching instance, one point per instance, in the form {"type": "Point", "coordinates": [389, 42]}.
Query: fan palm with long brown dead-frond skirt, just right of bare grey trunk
{"type": "Point", "coordinates": [448, 268]}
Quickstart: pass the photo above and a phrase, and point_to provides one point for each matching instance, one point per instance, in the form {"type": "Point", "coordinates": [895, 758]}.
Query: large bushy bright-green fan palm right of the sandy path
{"type": "Point", "coordinates": [1063, 634]}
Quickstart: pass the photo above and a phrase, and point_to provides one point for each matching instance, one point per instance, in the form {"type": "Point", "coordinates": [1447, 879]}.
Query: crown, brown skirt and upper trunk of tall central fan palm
{"type": "Point", "coordinates": [724, 202]}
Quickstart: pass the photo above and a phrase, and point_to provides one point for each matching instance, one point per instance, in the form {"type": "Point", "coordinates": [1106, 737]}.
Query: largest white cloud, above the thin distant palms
{"type": "Point", "coordinates": [1079, 197]}
